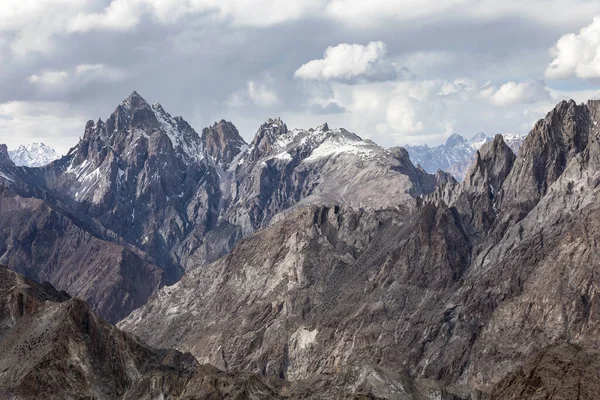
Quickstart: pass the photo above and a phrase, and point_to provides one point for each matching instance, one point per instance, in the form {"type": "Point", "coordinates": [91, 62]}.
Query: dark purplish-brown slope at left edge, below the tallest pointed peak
{"type": "Point", "coordinates": [46, 244]}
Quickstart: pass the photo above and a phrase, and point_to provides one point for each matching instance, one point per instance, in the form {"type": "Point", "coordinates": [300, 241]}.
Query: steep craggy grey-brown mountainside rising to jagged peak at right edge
{"type": "Point", "coordinates": [531, 280]}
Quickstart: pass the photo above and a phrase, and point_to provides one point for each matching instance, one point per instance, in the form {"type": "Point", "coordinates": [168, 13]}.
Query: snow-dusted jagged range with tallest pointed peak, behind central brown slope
{"type": "Point", "coordinates": [143, 196]}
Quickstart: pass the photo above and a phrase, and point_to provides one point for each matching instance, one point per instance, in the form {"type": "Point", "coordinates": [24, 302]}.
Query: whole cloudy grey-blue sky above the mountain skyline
{"type": "Point", "coordinates": [395, 71]}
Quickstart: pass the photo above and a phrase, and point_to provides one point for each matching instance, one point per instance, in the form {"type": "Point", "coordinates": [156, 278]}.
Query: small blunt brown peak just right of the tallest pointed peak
{"type": "Point", "coordinates": [222, 143]}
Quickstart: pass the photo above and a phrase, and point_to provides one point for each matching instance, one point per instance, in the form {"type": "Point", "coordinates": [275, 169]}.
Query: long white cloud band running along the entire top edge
{"type": "Point", "coordinates": [34, 26]}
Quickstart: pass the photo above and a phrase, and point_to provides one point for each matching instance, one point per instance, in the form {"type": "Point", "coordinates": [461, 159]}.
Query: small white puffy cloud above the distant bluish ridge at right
{"type": "Point", "coordinates": [512, 93]}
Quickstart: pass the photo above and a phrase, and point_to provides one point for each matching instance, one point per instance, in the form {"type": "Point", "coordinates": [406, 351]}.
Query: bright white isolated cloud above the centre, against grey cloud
{"type": "Point", "coordinates": [344, 61]}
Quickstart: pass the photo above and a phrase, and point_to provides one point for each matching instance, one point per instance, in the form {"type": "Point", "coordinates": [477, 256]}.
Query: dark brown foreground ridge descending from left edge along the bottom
{"type": "Point", "coordinates": [55, 347]}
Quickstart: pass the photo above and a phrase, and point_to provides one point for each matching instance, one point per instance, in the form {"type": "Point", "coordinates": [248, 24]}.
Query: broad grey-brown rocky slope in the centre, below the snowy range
{"type": "Point", "coordinates": [322, 281]}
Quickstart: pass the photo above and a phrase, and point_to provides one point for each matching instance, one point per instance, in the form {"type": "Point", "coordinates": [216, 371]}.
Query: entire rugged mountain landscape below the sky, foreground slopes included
{"type": "Point", "coordinates": [304, 264]}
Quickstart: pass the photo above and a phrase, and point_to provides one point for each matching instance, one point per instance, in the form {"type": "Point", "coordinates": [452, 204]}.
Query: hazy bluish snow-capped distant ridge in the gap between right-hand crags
{"type": "Point", "coordinates": [457, 153]}
